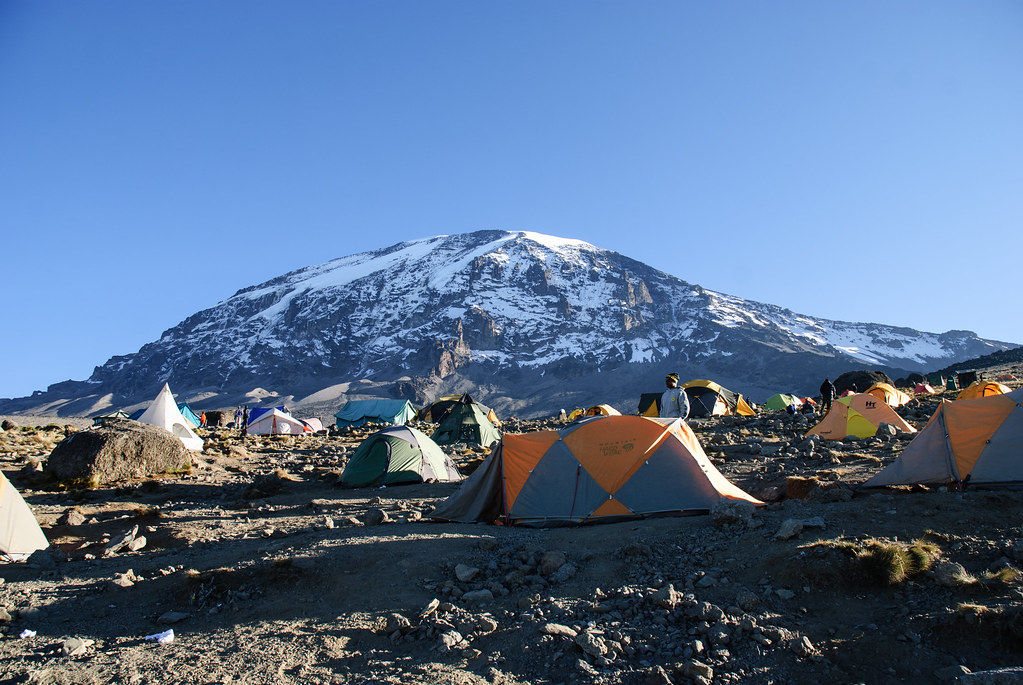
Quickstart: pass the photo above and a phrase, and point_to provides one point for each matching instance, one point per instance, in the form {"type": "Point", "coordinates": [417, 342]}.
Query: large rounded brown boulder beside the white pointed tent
{"type": "Point", "coordinates": [116, 451]}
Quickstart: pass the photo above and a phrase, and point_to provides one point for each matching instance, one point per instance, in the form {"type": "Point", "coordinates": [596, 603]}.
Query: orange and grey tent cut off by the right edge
{"type": "Point", "coordinates": [980, 441]}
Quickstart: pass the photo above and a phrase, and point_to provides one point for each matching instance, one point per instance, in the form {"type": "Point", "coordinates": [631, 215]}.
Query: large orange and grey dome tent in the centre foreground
{"type": "Point", "coordinates": [601, 469]}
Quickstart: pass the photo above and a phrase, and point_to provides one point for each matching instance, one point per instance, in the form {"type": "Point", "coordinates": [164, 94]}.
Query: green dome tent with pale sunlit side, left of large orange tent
{"type": "Point", "coordinates": [397, 454]}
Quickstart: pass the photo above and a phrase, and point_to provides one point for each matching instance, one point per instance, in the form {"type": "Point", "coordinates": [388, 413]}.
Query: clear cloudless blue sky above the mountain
{"type": "Point", "coordinates": [857, 160]}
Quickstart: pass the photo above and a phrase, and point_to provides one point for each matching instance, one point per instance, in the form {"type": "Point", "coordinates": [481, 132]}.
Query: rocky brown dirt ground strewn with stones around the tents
{"type": "Point", "coordinates": [269, 573]}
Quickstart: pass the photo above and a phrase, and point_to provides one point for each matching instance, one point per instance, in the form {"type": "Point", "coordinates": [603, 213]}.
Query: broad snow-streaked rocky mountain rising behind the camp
{"type": "Point", "coordinates": [527, 323]}
